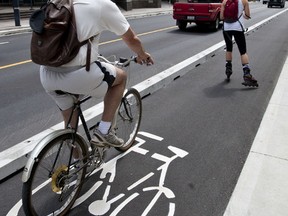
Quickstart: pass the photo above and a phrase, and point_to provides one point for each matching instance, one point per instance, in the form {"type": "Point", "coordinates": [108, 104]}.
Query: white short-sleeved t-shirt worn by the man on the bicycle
{"type": "Point", "coordinates": [93, 17]}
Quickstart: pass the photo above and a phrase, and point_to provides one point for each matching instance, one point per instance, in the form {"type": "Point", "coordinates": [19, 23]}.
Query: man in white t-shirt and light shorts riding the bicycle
{"type": "Point", "coordinates": [93, 17]}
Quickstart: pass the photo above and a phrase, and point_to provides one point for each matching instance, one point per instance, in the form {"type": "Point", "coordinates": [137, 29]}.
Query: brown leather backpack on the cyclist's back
{"type": "Point", "coordinates": [54, 39]}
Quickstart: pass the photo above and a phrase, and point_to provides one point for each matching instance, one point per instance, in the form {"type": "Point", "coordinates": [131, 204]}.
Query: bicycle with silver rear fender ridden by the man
{"type": "Point", "coordinates": [57, 167]}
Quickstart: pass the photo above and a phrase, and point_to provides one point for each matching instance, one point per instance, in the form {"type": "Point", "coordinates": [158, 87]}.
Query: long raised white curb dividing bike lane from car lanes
{"type": "Point", "coordinates": [14, 158]}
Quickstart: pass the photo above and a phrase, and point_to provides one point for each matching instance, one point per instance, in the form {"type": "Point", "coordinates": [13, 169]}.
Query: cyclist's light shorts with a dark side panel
{"type": "Point", "coordinates": [77, 81]}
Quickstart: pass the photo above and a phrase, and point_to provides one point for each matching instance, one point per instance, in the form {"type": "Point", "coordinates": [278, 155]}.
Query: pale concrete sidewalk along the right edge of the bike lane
{"type": "Point", "coordinates": [262, 185]}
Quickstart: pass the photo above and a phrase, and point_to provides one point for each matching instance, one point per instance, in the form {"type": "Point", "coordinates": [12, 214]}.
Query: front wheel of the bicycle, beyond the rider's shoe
{"type": "Point", "coordinates": [129, 118]}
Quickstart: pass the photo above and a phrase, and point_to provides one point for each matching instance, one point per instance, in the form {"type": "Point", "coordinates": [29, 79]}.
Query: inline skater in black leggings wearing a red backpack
{"type": "Point", "coordinates": [236, 29]}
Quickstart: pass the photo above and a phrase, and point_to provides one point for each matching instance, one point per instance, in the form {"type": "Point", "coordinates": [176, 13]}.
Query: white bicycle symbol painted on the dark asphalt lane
{"type": "Point", "coordinates": [107, 172]}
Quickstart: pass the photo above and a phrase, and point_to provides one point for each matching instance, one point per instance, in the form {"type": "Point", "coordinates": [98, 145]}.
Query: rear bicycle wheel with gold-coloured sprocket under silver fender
{"type": "Point", "coordinates": [53, 187]}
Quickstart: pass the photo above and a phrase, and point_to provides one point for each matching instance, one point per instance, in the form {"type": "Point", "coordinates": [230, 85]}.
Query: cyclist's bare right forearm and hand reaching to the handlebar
{"type": "Point", "coordinates": [134, 43]}
